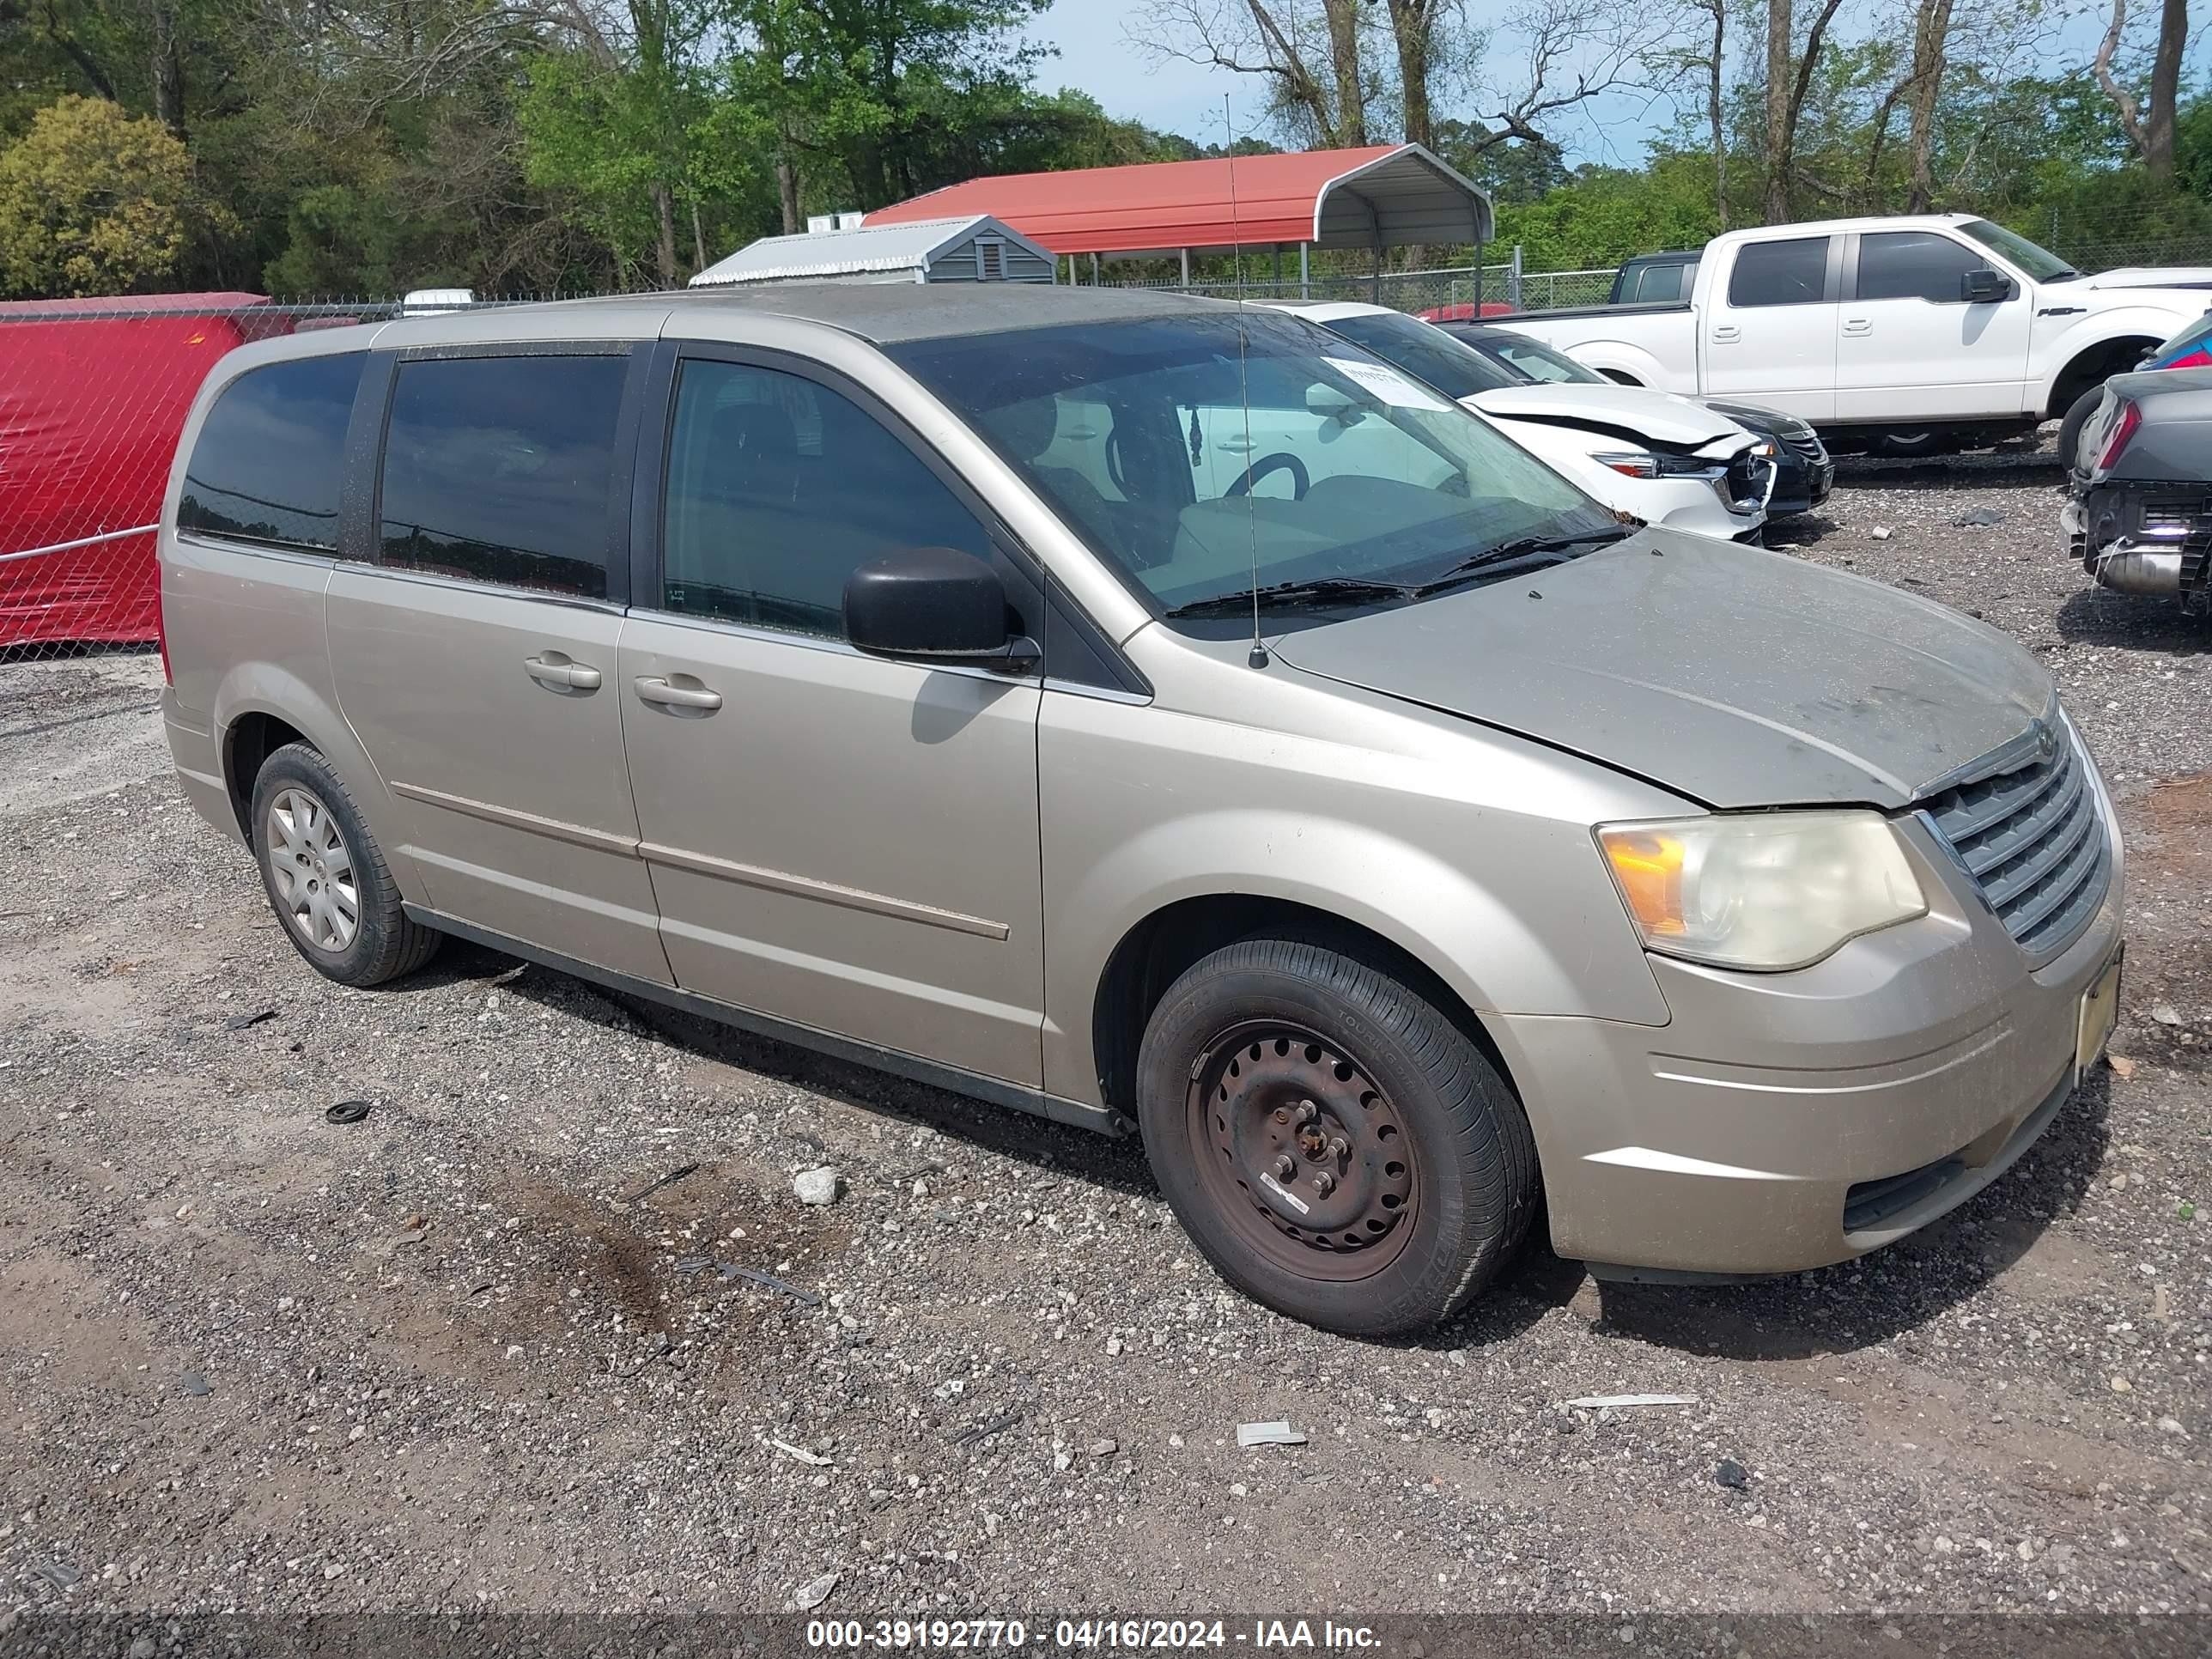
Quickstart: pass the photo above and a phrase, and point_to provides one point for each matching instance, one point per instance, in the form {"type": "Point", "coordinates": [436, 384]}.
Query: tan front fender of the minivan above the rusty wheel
{"type": "Point", "coordinates": [1434, 853]}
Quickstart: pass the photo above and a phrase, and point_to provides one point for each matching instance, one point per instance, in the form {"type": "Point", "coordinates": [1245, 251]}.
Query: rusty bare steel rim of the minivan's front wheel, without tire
{"type": "Point", "coordinates": [1306, 1158]}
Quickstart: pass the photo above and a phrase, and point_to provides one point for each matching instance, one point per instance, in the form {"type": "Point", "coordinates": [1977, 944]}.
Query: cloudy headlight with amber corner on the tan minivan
{"type": "Point", "coordinates": [1762, 890]}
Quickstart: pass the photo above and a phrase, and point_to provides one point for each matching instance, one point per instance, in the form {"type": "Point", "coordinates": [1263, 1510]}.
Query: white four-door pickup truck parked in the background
{"type": "Point", "coordinates": [1899, 335]}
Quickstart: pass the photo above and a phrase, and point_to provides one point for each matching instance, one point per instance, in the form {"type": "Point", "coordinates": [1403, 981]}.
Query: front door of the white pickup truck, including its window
{"type": "Point", "coordinates": [1912, 346]}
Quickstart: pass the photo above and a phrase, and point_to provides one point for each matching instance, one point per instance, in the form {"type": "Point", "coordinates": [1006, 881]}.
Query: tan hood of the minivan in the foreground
{"type": "Point", "coordinates": [1724, 674]}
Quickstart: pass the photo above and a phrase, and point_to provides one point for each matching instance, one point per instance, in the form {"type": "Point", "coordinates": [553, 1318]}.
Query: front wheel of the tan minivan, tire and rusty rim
{"type": "Point", "coordinates": [1335, 1145]}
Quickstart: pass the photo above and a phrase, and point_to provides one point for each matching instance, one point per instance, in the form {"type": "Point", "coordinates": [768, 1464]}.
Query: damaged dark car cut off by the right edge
{"type": "Point", "coordinates": [2140, 488]}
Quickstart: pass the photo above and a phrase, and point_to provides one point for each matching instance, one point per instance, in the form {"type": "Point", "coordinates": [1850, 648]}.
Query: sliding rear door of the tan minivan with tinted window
{"type": "Point", "coordinates": [477, 658]}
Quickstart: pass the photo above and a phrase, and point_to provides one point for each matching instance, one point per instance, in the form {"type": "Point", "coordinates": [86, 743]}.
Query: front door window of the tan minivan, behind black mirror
{"type": "Point", "coordinates": [780, 490]}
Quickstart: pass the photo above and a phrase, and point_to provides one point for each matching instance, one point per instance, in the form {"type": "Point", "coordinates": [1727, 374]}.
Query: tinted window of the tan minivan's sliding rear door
{"type": "Point", "coordinates": [499, 468]}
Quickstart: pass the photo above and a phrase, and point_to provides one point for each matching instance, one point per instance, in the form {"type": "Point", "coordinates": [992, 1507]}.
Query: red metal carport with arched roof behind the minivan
{"type": "Point", "coordinates": [1386, 196]}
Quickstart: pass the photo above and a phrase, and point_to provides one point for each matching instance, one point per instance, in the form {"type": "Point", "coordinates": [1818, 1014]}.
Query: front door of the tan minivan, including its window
{"type": "Point", "coordinates": [835, 839]}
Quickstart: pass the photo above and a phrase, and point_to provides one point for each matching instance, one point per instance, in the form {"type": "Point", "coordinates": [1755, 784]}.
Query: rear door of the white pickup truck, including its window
{"type": "Point", "coordinates": [1771, 328]}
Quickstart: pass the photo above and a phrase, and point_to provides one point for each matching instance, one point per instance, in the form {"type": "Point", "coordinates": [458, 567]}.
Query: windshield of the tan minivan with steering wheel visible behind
{"type": "Point", "coordinates": [1209, 455]}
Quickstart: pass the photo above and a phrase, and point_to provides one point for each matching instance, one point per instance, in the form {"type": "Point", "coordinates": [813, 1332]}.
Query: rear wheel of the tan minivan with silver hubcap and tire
{"type": "Point", "coordinates": [326, 877]}
